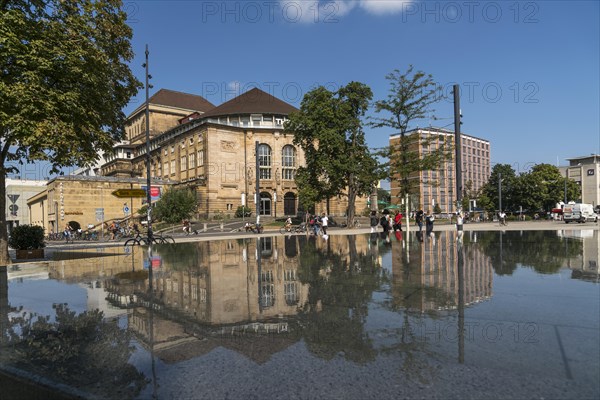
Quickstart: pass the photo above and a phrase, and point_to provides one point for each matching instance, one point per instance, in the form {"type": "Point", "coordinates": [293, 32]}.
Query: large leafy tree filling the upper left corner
{"type": "Point", "coordinates": [64, 82]}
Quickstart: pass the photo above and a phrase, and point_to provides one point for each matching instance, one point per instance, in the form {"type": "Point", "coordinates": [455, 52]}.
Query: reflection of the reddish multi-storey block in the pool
{"type": "Point", "coordinates": [425, 274]}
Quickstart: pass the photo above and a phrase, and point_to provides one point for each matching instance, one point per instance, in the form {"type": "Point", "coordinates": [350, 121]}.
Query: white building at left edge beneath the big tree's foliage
{"type": "Point", "coordinates": [17, 193]}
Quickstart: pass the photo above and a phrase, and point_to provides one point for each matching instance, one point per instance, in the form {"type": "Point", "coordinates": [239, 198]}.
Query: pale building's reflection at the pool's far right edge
{"type": "Point", "coordinates": [586, 265]}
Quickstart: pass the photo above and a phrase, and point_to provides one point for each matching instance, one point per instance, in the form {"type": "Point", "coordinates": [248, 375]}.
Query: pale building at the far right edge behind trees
{"type": "Point", "coordinates": [586, 172]}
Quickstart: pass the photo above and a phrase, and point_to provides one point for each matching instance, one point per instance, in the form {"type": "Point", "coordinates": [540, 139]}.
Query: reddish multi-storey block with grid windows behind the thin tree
{"type": "Point", "coordinates": [438, 187]}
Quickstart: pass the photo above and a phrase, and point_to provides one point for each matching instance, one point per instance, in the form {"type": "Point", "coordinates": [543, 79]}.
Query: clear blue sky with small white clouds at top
{"type": "Point", "coordinates": [529, 71]}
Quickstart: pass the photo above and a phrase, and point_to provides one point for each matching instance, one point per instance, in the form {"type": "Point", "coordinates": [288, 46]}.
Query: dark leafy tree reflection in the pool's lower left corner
{"type": "Point", "coordinates": [83, 351]}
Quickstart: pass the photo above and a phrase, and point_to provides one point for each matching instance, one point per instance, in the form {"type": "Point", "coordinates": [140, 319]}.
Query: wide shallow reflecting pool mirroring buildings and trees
{"type": "Point", "coordinates": [484, 315]}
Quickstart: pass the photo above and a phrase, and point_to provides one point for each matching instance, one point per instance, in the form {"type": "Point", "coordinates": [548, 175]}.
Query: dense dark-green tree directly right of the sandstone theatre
{"type": "Point", "coordinates": [328, 127]}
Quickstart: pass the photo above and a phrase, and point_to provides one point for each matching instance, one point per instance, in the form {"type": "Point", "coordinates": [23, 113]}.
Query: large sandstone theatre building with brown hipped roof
{"type": "Point", "coordinates": [213, 151]}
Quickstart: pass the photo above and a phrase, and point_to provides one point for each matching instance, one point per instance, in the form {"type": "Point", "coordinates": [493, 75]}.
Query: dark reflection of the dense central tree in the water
{"type": "Point", "coordinates": [341, 287]}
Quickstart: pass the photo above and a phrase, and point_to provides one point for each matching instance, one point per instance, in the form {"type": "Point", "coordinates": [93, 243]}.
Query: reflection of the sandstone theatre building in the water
{"type": "Point", "coordinates": [212, 294]}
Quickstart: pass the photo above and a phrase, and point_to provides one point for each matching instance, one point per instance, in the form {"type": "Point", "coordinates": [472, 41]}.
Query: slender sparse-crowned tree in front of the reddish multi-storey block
{"type": "Point", "coordinates": [410, 98]}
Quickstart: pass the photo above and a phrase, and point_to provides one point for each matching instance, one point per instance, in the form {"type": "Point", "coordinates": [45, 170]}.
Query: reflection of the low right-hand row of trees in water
{"type": "Point", "coordinates": [544, 251]}
